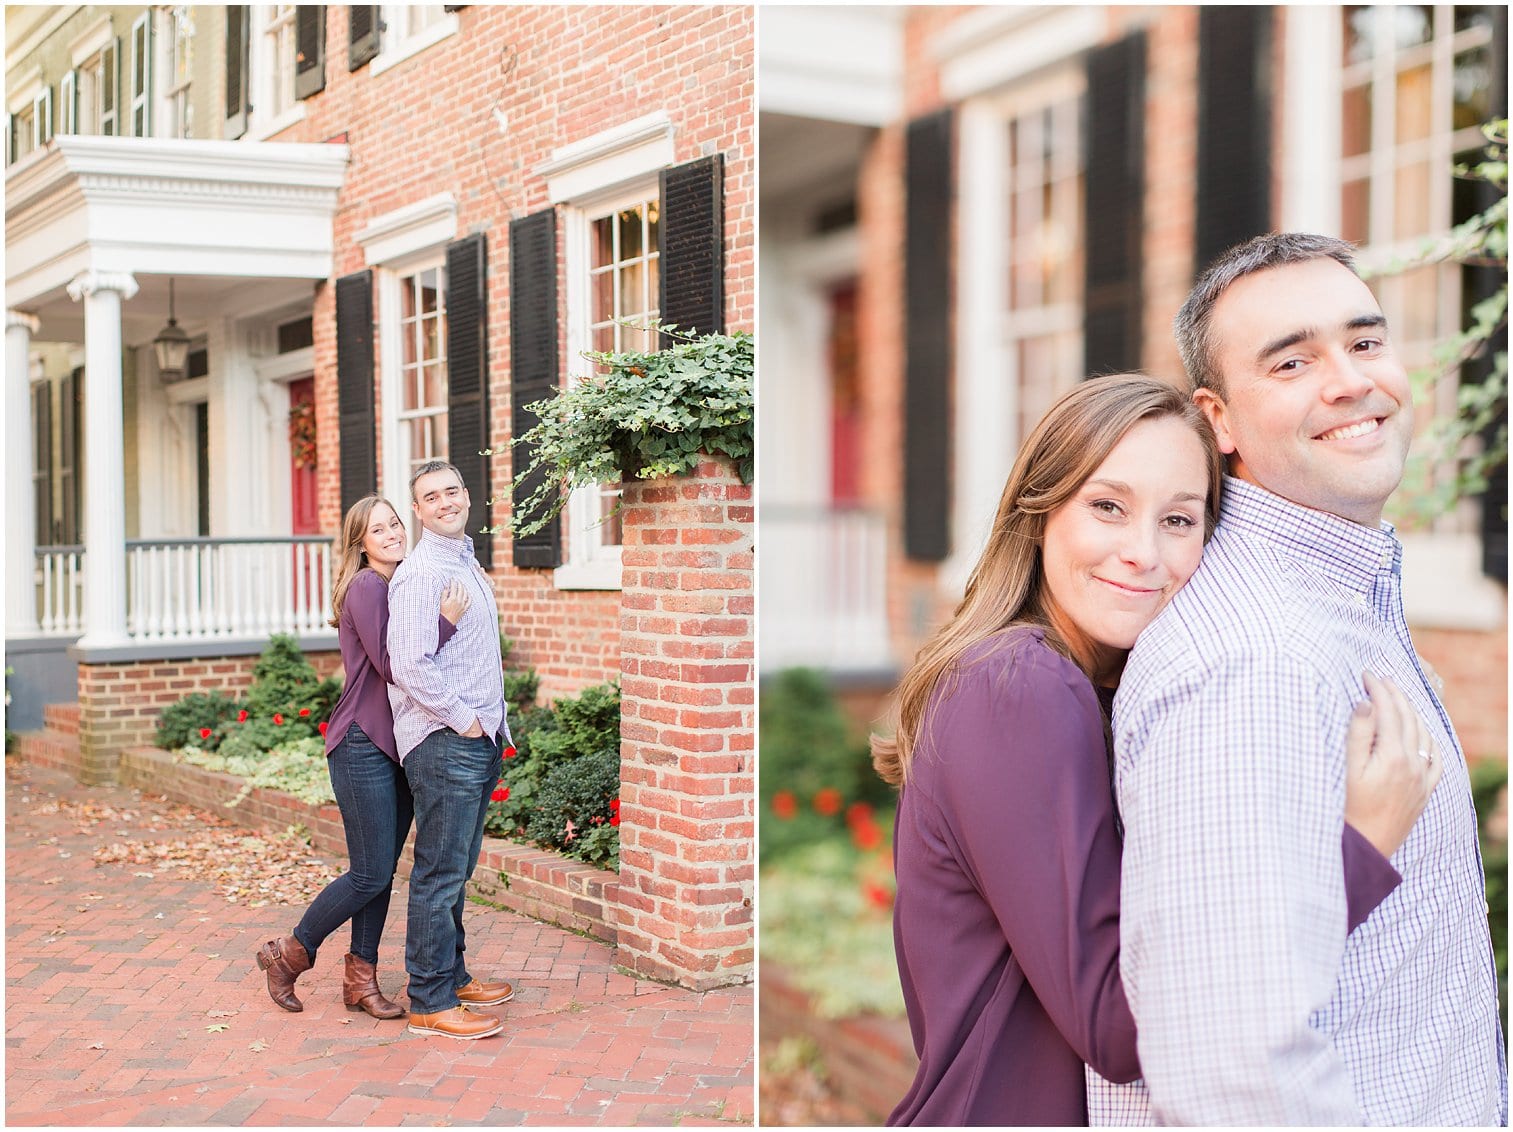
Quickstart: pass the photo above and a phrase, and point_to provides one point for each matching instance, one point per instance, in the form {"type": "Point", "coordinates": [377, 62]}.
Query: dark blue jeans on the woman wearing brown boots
{"type": "Point", "coordinates": [376, 804]}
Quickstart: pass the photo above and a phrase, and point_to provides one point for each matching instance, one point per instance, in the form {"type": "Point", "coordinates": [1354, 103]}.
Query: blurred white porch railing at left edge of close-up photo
{"type": "Point", "coordinates": [824, 589]}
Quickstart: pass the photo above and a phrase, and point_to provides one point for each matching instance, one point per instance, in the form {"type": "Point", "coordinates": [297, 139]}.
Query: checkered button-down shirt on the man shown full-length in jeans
{"type": "Point", "coordinates": [450, 688]}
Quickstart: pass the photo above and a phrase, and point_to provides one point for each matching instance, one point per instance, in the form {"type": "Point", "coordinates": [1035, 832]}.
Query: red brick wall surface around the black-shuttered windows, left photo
{"type": "Point", "coordinates": [427, 126]}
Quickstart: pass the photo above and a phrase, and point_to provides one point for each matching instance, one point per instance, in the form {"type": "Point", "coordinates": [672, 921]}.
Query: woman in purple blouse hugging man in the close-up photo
{"type": "Point", "coordinates": [1007, 844]}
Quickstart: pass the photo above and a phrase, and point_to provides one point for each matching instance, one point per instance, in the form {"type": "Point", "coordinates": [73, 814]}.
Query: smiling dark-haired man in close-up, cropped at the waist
{"type": "Point", "coordinates": [1252, 1003]}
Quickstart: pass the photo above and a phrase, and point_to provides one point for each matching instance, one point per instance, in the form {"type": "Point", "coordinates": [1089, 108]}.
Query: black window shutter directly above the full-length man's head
{"type": "Point", "coordinates": [468, 379]}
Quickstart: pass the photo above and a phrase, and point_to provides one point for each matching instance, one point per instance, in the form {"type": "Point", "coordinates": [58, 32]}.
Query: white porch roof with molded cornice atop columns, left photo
{"type": "Point", "coordinates": [247, 217]}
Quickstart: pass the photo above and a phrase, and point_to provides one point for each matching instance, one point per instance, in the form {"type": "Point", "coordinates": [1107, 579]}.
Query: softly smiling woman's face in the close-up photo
{"type": "Point", "coordinates": [1132, 535]}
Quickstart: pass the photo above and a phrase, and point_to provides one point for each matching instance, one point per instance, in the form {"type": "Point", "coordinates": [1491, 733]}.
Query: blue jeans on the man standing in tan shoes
{"type": "Point", "coordinates": [452, 779]}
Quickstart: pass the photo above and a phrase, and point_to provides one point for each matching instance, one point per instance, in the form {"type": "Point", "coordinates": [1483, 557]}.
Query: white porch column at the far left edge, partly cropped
{"type": "Point", "coordinates": [20, 508]}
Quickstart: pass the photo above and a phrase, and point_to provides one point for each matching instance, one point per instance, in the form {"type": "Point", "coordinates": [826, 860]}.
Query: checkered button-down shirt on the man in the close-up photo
{"type": "Point", "coordinates": [1252, 1003]}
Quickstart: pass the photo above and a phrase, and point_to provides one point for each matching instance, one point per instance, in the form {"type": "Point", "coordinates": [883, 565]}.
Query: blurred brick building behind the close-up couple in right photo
{"type": "Point", "coordinates": [1010, 199]}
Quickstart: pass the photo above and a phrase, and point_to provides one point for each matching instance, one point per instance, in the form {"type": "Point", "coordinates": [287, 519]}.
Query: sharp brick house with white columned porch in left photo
{"type": "Point", "coordinates": [385, 231]}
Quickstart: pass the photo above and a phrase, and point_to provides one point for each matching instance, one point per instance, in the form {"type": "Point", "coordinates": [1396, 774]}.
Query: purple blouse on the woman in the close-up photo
{"type": "Point", "coordinates": [1007, 925]}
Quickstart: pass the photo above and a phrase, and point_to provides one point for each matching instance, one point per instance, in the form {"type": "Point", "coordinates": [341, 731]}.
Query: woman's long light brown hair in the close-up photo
{"type": "Point", "coordinates": [1007, 586]}
